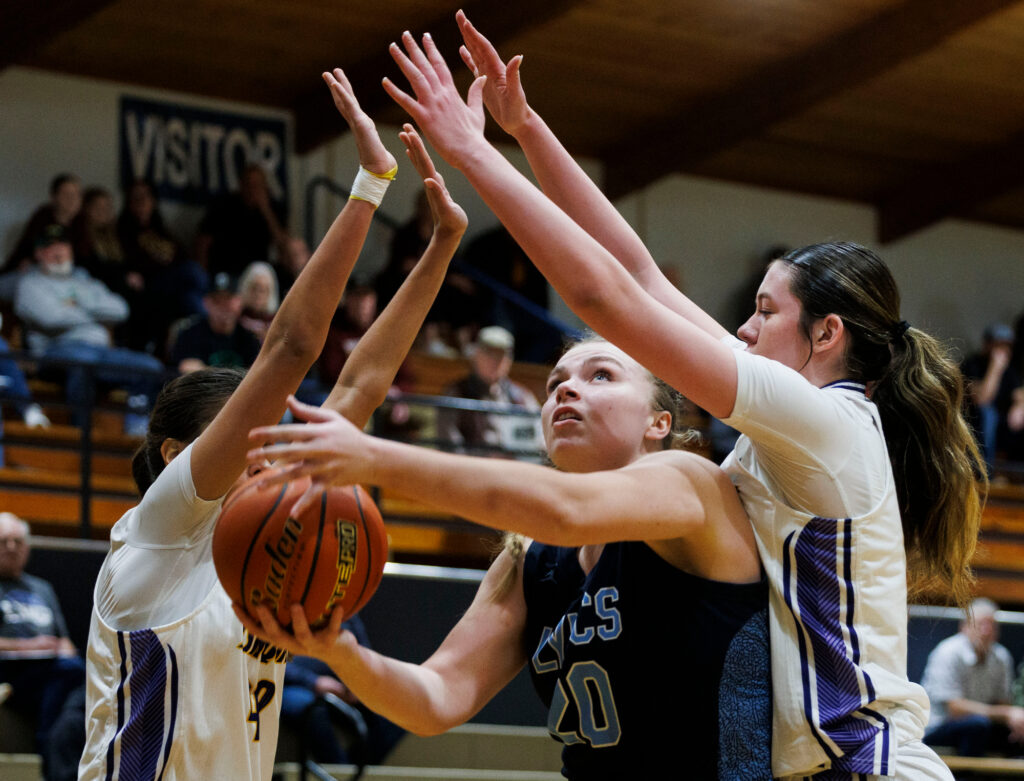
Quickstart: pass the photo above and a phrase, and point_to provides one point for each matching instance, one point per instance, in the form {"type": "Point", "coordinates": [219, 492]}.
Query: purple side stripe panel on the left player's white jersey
{"type": "Point", "coordinates": [143, 736]}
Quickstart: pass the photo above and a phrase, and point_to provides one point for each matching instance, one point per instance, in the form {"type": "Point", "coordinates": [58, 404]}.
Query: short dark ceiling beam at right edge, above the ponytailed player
{"type": "Point", "coordinates": [951, 191]}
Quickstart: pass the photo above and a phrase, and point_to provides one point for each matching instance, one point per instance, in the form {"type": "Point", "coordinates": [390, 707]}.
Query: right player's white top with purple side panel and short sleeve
{"type": "Point", "coordinates": [815, 478]}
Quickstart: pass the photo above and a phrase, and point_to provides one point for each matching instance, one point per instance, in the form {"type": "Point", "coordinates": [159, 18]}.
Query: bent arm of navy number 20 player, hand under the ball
{"type": "Point", "coordinates": [480, 658]}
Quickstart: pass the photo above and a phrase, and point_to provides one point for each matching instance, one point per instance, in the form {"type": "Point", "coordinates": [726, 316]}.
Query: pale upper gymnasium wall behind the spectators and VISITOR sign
{"type": "Point", "coordinates": [956, 277]}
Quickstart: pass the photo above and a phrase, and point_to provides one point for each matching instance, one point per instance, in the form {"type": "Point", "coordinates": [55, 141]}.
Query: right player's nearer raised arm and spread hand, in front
{"type": "Point", "coordinates": [588, 278]}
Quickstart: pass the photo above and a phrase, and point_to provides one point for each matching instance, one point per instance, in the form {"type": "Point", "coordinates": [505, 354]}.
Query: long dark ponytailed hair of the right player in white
{"type": "Point", "coordinates": [919, 392]}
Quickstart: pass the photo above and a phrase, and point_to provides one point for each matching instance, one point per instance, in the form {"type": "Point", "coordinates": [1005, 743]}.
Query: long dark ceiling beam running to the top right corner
{"type": "Point", "coordinates": [786, 89]}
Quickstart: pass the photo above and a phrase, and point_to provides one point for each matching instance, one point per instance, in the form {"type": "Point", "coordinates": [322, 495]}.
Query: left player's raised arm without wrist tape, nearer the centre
{"type": "Point", "coordinates": [368, 374]}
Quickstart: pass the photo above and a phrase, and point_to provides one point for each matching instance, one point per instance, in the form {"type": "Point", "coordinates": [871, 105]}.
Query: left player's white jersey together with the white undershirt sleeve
{"type": "Point", "coordinates": [190, 695]}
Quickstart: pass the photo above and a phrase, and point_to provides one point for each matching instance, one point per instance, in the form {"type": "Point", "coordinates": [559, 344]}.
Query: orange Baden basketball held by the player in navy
{"type": "Point", "coordinates": [333, 555]}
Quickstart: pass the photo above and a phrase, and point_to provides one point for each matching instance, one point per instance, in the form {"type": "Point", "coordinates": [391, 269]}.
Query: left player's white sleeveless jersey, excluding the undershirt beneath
{"type": "Point", "coordinates": [195, 700]}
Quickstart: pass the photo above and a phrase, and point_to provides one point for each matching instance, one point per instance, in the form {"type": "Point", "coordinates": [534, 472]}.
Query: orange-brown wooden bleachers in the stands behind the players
{"type": "Point", "coordinates": [41, 483]}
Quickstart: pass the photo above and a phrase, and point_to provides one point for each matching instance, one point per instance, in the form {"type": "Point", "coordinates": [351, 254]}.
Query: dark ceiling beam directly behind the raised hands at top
{"type": "Point", "coordinates": [316, 119]}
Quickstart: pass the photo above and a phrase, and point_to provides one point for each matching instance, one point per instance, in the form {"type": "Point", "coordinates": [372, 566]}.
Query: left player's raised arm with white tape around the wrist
{"type": "Point", "coordinates": [300, 329]}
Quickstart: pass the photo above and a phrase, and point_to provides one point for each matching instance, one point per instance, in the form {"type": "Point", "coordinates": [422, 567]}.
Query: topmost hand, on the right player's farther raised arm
{"type": "Point", "coordinates": [503, 94]}
